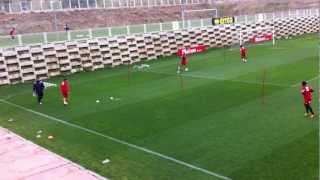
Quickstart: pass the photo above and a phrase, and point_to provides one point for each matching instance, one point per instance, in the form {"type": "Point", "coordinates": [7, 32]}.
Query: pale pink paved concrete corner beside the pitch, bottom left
{"type": "Point", "coordinates": [22, 159]}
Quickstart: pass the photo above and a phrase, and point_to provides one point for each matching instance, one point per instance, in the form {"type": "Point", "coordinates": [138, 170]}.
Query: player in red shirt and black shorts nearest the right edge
{"type": "Point", "coordinates": [307, 91]}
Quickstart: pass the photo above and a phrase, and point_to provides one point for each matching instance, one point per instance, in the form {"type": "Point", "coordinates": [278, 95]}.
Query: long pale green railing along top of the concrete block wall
{"type": "Point", "coordinates": [63, 36]}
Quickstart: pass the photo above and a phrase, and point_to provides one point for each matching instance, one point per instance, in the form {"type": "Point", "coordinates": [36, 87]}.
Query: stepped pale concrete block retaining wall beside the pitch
{"type": "Point", "coordinates": [28, 62]}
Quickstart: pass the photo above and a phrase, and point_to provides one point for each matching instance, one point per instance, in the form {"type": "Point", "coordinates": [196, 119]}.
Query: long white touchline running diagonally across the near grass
{"type": "Point", "coordinates": [117, 140]}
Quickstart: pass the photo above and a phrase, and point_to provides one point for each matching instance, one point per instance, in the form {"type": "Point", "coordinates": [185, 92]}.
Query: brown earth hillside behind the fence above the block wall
{"type": "Point", "coordinates": [31, 22]}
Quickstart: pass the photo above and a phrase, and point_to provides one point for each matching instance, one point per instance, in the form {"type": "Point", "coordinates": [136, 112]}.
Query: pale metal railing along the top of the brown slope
{"type": "Point", "coordinates": [15, 6]}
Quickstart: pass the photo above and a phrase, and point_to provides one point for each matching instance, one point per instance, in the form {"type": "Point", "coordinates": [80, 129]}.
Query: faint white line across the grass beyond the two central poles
{"type": "Point", "coordinates": [217, 78]}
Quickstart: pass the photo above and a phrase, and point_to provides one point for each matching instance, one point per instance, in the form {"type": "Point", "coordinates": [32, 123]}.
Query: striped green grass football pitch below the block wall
{"type": "Point", "coordinates": [216, 121]}
